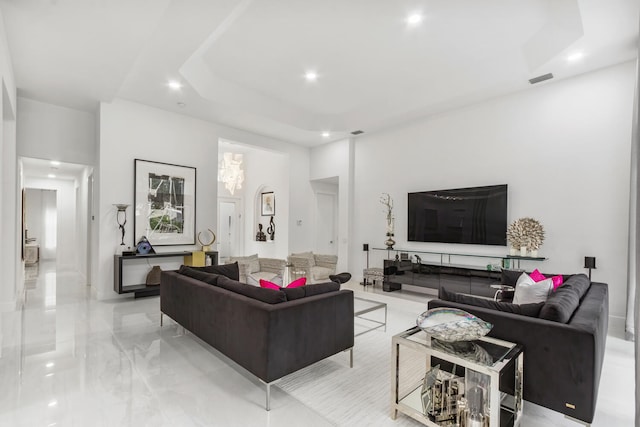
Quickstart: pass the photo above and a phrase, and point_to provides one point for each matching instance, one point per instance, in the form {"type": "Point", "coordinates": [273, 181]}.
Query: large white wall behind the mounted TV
{"type": "Point", "coordinates": [562, 147]}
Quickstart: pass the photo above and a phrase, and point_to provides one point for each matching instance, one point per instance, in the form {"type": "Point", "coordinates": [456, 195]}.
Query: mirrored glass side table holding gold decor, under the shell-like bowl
{"type": "Point", "coordinates": [462, 384]}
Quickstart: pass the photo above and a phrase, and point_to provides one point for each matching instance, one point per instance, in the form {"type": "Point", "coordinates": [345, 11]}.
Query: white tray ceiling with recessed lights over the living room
{"type": "Point", "coordinates": [242, 61]}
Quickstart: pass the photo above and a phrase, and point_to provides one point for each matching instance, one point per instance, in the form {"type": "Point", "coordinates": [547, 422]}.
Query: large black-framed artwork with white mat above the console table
{"type": "Point", "coordinates": [165, 203]}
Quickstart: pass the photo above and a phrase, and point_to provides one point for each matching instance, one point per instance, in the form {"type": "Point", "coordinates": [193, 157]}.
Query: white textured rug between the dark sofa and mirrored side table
{"type": "Point", "coordinates": [360, 396]}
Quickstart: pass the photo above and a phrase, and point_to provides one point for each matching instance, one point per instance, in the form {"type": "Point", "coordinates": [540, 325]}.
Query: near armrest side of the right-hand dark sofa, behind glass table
{"type": "Point", "coordinates": [565, 356]}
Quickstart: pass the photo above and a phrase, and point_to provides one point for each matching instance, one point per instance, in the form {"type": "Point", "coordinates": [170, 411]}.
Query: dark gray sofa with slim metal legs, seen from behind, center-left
{"type": "Point", "coordinates": [269, 339]}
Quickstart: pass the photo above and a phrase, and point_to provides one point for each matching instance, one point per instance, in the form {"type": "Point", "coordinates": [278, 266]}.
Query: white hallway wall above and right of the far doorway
{"type": "Point", "coordinates": [66, 248]}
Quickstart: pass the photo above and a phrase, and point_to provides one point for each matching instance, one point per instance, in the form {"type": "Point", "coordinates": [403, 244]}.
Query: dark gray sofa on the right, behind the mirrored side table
{"type": "Point", "coordinates": [562, 361]}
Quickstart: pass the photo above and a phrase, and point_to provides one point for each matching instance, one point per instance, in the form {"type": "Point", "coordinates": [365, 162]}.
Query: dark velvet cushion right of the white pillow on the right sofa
{"type": "Point", "coordinates": [562, 303]}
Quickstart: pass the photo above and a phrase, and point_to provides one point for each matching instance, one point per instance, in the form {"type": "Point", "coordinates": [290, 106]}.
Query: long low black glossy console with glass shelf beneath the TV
{"type": "Point", "coordinates": [453, 270]}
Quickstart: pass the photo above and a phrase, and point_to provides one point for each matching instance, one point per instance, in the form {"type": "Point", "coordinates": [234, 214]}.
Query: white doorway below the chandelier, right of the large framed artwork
{"type": "Point", "coordinates": [229, 228]}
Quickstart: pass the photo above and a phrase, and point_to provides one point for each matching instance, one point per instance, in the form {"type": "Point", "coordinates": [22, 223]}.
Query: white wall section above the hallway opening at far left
{"type": "Point", "coordinates": [47, 131]}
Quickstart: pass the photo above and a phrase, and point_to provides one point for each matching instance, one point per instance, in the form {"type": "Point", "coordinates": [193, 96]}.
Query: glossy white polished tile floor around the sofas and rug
{"type": "Point", "coordinates": [69, 360]}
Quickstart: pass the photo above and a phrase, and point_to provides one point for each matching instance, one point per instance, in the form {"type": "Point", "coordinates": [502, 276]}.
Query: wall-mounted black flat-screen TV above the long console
{"type": "Point", "coordinates": [476, 215]}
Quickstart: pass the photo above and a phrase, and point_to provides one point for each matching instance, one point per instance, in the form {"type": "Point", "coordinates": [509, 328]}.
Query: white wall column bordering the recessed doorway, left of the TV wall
{"type": "Point", "coordinates": [336, 160]}
